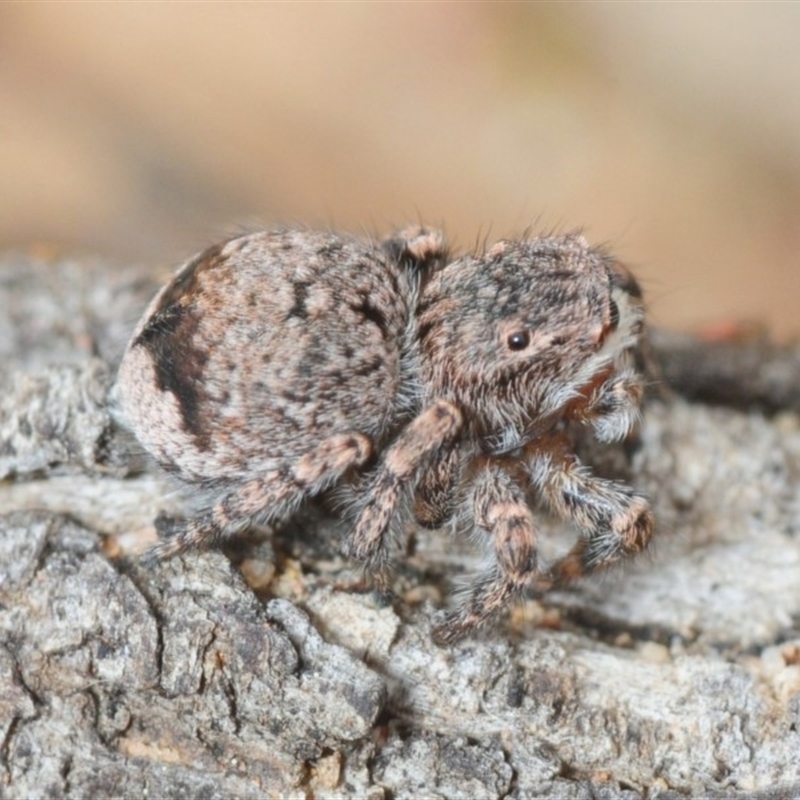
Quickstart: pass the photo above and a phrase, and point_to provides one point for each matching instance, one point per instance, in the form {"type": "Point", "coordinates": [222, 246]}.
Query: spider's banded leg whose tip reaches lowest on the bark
{"type": "Point", "coordinates": [499, 508]}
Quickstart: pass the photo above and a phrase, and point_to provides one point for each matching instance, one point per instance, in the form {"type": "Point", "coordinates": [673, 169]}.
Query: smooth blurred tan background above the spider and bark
{"type": "Point", "coordinates": [669, 131]}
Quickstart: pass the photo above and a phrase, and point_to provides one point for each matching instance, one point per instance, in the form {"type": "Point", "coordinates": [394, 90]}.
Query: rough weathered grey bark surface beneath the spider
{"type": "Point", "coordinates": [678, 675]}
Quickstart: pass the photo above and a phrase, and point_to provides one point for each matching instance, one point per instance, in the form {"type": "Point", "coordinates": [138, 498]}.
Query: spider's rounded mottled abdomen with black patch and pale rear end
{"type": "Point", "coordinates": [261, 344]}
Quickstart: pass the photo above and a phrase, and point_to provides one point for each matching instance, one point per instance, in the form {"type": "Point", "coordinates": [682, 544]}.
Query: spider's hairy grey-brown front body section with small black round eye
{"type": "Point", "coordinates": [514, 335]}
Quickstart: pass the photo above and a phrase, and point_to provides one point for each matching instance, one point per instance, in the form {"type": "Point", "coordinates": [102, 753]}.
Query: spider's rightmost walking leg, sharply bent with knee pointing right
{"type": "Point", "coordinates": [615, 522]}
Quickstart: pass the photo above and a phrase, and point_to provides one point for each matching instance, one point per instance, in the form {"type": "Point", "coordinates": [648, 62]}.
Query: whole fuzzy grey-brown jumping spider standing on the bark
{"type": "Point", "coordinates": [276, 365]}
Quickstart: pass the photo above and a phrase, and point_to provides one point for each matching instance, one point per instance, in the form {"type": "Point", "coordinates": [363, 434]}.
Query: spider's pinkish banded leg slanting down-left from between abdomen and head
{"type": "Point", "coordinates": [427, 434]}
